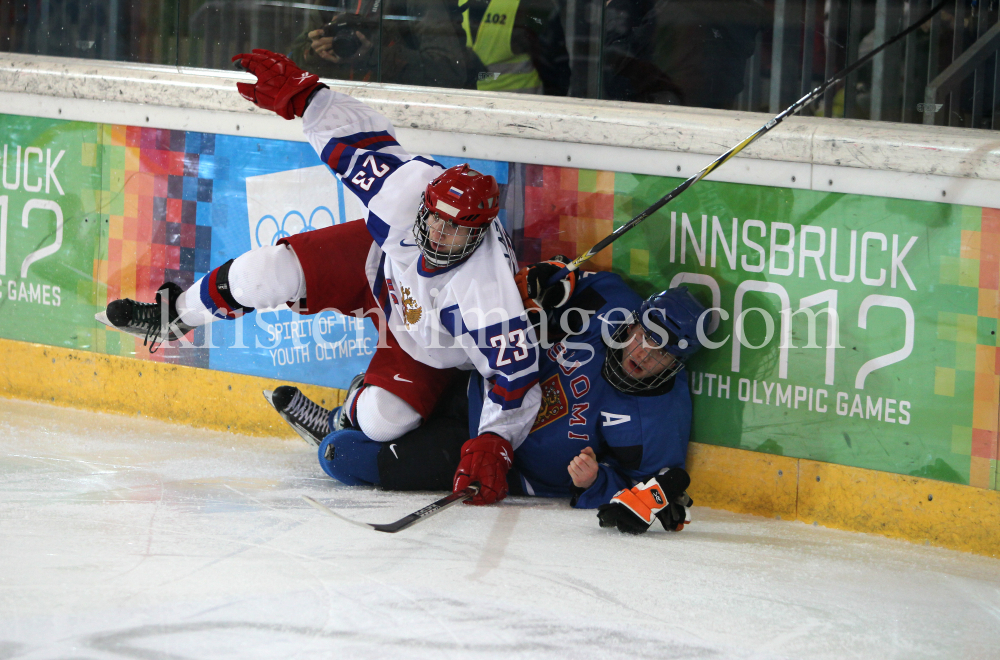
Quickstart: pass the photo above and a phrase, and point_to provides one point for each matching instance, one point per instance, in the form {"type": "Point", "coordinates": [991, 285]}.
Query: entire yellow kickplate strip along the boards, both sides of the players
{"type": "Point", "coordinates": [855, 499]}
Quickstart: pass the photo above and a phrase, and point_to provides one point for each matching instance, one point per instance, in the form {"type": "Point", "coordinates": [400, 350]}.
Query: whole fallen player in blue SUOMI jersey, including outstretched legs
{"type": "Point", "coordinates": [613, 428]}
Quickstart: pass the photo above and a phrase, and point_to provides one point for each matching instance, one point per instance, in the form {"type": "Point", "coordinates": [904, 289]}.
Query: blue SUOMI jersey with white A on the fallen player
{"type": "Point", "coordinates": [634, 437]}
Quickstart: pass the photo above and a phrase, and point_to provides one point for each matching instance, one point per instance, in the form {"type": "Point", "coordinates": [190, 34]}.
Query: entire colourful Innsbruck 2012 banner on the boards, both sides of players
{"type": "Point", "coordinates": [141, 206]}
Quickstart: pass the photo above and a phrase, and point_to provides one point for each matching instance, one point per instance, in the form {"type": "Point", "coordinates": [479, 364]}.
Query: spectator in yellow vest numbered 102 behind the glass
{"type": "Point", "coordinates": [520, 43]}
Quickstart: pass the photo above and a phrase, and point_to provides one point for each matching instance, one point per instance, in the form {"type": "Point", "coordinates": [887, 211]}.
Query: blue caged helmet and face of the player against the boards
{"type": "Point", "coordinates": [669, 321]}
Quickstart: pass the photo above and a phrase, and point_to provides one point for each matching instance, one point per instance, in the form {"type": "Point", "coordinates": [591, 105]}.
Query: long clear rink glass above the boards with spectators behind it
{"type": "Point", "coordinates": [723, 54]}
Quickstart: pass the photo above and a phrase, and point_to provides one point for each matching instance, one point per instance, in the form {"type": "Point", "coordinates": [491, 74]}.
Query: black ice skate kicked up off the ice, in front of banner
{"type": "Point", "coordinates": [151, 321]}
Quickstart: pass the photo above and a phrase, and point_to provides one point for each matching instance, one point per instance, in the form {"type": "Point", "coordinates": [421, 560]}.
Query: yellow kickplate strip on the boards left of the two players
{"type": "Point", "coordinates": [109, 383]}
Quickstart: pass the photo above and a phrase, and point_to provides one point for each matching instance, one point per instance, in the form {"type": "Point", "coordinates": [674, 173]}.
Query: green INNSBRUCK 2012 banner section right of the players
{"type": "Point", "coordinates": [850, 329]}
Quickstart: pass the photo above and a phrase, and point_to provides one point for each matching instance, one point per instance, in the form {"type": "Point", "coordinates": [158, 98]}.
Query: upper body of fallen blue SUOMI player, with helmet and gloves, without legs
{"type": "Point", "coordinates": [613, 429]}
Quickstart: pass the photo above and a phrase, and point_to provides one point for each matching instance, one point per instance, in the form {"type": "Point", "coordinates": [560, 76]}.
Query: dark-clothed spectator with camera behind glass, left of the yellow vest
{"type": "Point", "coordinates": [422, 44]}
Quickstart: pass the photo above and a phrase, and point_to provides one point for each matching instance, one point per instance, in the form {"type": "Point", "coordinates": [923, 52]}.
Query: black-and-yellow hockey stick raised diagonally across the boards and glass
{"type": "Point", "coordinates": [715, 164]}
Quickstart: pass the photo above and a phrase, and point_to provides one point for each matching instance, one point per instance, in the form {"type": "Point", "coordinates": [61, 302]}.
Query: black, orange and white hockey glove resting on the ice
{"type": "Point", "coordinates": [633, 511]}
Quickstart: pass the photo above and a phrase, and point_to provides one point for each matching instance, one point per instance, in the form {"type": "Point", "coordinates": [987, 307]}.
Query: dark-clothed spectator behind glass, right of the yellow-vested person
{"type": "Point", "coordinates": [687, 52]}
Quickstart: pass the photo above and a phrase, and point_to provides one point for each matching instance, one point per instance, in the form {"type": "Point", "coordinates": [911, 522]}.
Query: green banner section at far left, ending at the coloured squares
{"type": "Point", "coordinates": [49, 230]}
